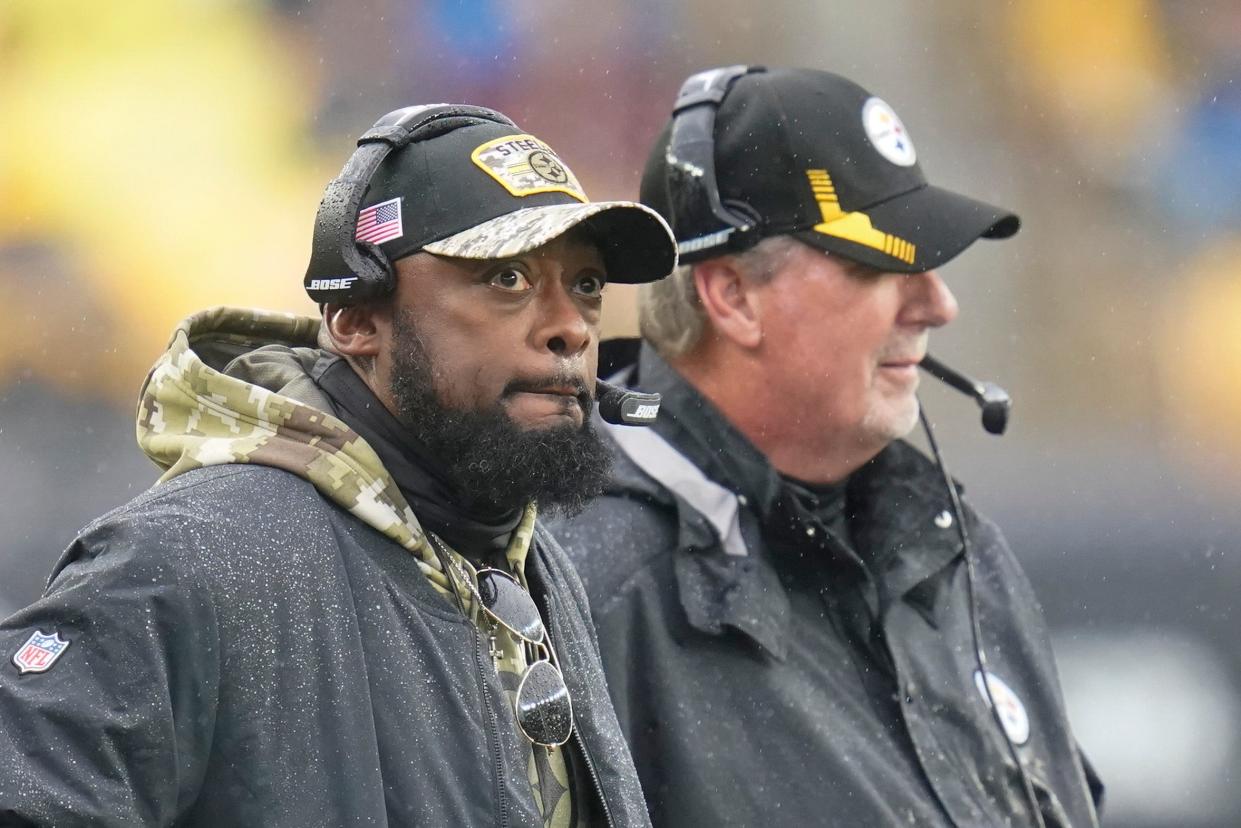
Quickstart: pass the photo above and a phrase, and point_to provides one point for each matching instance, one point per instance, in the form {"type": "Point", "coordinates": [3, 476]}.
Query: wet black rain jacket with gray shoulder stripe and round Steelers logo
{"type": "Point", "coordinates": [766, 673]}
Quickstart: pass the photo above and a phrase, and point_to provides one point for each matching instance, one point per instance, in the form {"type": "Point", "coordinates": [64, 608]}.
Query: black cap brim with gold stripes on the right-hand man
{"type": "Point", "coordinates": [913, 233]}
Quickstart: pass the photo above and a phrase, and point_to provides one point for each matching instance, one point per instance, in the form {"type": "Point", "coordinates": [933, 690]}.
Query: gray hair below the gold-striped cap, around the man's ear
{"type": "Point", "coordinates": [671, 315]}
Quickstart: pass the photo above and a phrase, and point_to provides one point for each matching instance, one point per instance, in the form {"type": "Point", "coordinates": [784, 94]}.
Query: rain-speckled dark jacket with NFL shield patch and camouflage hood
{"type": "Point", "coordinates": [260, 640]}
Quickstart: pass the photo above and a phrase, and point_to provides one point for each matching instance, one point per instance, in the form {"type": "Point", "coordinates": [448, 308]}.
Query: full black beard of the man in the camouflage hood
{"type": "Point", "coordinates": [488, 459]}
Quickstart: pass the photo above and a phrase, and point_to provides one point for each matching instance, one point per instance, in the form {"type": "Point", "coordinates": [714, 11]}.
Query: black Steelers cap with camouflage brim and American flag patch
{"type": "Point", "coordinates": [488, 191]}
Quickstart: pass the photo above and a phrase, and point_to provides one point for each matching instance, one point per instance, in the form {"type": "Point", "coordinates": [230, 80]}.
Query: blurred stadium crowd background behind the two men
{"type": "Point", "coordinates": [163, 156]}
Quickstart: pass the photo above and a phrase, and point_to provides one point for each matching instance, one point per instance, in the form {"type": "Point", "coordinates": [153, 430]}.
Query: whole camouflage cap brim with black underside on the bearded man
{"type": "Point", "coordinates": [636, 243]}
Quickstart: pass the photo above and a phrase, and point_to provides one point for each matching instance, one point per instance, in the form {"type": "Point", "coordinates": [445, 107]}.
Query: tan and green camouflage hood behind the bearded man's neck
{"type": "Point", "coordinates": [234, 387]}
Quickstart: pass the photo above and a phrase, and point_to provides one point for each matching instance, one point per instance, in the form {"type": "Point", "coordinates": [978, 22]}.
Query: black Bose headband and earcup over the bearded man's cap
{"type": "Point", "coordinates": [344, 271]}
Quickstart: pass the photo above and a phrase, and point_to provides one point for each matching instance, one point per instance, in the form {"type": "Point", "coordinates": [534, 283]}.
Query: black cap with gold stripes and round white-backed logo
{"type": "Point", "coordinates": [812, 155]}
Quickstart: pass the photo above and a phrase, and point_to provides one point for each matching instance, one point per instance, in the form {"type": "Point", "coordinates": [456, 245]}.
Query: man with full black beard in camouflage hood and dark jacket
{"type": "Point", "coordinates": [337, 608]}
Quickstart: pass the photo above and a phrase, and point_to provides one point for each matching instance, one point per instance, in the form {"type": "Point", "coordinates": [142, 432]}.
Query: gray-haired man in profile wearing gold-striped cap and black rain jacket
{"type": "Point", "coordinates": [795, 628]}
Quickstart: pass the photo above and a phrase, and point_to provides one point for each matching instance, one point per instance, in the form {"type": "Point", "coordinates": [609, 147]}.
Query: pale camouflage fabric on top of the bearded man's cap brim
{"type": "Point", "coordinates": [524, 230]}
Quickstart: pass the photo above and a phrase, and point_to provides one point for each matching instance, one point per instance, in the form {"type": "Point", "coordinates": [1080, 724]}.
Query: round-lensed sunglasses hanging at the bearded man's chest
{"type": "Point", "coordinates": [543, 708]}
